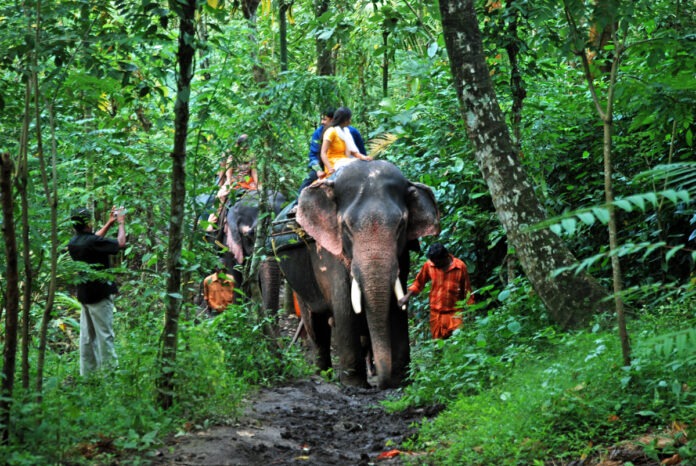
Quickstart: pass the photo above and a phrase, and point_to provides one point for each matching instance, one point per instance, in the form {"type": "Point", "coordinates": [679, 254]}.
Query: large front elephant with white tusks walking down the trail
{"type": "Point", "coordinates": [352, 267]}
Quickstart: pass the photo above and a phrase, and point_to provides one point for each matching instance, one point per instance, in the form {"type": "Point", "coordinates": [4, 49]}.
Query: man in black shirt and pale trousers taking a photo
{"type": "Point", "coordinates": [96, 295]}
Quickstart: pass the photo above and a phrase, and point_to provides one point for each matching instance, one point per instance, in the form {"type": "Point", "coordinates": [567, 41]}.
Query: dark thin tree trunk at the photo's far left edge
{"type": "Point", "coordinates": [11, 295]}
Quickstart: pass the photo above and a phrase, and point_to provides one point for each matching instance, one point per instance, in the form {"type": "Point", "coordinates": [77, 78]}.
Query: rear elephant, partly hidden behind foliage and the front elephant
{"type": "Point", "coordinates": [239, 237]}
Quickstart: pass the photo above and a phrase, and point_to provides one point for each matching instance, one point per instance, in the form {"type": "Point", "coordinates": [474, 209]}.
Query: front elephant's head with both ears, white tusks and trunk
{"type": "Point", "coordinates": [364, 217]}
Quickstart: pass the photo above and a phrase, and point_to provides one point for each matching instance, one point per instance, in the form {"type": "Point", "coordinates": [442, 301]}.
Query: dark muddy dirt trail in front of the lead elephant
{"type": "Point", "coordinates": [309, 422]}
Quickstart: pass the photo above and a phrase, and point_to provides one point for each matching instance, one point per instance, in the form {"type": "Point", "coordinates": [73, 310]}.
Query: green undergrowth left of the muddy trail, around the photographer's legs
{"type": "Point", "coordinates": [111, 417]}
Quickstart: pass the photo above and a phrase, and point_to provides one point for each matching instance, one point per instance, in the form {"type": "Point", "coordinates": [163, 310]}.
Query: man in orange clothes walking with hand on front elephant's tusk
{"type": "Point", "coordinates": [450, 285]}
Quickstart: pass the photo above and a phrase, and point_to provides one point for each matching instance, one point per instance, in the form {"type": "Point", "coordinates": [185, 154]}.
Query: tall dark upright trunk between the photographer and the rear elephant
{"type": "Point", "coordinates": [167, 356]}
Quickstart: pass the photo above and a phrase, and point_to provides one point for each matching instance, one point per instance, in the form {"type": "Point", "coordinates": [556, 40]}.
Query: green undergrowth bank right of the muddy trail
{"type": "Point", "coordinates": [517, 392]}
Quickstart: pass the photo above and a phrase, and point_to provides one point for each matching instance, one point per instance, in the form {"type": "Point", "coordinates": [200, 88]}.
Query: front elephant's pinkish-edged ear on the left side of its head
{"type": "Point", "coordinates": [318, 215]}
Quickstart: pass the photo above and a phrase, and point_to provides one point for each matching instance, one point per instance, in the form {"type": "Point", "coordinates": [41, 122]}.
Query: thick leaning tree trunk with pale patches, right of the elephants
{"type": "Point", "coordinates": [570, 299]}
